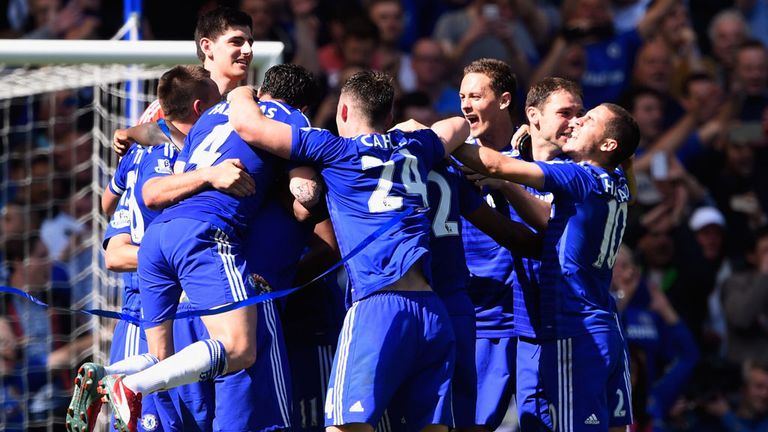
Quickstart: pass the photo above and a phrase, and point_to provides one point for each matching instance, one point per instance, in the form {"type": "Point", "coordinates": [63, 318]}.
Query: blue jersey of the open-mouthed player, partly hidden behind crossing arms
{"type": "Point", "coordinates": [490, 271]}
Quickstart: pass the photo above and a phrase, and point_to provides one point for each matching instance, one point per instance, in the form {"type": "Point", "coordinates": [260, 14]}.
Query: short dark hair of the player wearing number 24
{"type": "Point", "coordinates": [373, 92]}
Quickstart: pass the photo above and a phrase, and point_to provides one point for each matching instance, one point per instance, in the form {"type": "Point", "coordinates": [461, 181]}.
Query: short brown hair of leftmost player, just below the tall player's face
{"type": "Point", "coordinates": [179, 87]}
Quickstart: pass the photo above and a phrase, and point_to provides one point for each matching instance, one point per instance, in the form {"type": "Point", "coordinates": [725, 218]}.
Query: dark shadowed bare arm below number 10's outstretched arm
{"type": "Point", "coordinates": [512, 235]}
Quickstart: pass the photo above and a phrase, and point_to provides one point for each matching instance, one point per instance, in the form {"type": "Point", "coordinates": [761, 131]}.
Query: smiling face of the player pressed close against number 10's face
{"type": "Point", "coordinates": [551, 123]}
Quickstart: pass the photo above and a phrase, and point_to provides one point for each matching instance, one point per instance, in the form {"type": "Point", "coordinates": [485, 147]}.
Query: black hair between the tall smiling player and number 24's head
{"type": "Point", "coordinates": [292, 84]}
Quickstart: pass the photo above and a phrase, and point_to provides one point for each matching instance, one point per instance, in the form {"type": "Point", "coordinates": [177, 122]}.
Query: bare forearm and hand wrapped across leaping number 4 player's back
{"type": "Point", "coordinates": [229, 176]}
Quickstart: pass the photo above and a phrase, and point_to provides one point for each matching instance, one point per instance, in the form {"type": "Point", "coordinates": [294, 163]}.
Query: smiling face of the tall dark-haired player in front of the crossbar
{"type": "Point", "coordinates": [229, 56]}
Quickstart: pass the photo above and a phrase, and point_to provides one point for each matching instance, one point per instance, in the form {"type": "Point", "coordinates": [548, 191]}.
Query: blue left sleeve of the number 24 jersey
{"type": "Point", "coordinates": [316, 146]}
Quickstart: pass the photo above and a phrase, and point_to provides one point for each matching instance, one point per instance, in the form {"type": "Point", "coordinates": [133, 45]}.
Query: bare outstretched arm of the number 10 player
{"type": "Point", "coordinates": [492, 163]}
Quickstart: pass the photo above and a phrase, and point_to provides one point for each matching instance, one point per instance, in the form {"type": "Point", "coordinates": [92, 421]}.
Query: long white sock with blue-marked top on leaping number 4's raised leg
{"type": "Point", "coordinates": [200, 361]}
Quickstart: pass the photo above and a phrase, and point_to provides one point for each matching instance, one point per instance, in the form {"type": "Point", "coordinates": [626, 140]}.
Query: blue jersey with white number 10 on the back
{"type": "Point", "coordinates": [580, 245]}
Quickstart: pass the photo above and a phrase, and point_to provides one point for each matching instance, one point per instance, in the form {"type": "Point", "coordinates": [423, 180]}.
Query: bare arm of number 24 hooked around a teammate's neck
{"type": "Point", "coordinates": [249, 122]}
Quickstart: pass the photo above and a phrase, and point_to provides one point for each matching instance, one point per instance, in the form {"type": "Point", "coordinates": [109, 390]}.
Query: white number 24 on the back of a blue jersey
{"type": "Point", "coordinates": [381, 200]}
